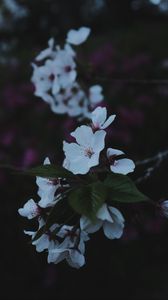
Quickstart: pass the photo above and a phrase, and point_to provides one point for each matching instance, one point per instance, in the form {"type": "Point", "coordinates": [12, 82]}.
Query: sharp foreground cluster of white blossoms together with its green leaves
{"type": "Point", "coordinates": [74, 201]}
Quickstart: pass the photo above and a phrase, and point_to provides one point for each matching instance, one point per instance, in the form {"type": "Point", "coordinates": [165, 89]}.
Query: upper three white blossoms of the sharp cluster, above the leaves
{"type": "Point", "coordinates": [90, 141]}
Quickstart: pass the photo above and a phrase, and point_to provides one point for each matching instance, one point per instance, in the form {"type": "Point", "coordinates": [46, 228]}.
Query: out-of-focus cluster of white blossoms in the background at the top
{"type": "Point", "coordinates": [55, 78]}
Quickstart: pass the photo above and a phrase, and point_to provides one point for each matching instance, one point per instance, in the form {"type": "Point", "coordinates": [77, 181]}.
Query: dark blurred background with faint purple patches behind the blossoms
{"type": "Point", "coordinates": [128, 41]}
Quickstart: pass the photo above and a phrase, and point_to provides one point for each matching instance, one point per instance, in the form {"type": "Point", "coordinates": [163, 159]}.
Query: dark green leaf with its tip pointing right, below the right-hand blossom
{"type": "Point", "coordinates": [122, 189]}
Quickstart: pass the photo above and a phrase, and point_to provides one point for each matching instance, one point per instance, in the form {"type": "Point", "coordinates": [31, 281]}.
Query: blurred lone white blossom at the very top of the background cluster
{"type": "Point", "coordinates": [77, 37]}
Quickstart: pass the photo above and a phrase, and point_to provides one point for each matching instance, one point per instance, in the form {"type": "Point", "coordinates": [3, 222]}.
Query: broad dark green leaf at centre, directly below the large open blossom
{"type": "Point", "coordinates": [87, 200]}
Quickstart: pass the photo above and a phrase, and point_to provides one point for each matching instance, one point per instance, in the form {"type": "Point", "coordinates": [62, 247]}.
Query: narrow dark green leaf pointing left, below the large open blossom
{"type": "Point", "coordinates": [49, 171]}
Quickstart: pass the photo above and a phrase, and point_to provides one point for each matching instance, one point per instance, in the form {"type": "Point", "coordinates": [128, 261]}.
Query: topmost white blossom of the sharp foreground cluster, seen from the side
{"type": "Point", "coordinates": [99, 118]}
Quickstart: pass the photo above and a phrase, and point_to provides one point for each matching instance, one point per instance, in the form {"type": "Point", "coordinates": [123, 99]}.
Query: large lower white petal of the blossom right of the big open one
{"type": "Point", "coordinates": [123, 166]}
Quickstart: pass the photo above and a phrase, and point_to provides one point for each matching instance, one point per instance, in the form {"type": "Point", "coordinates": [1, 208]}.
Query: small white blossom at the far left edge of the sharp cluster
{"type": "Point", "coordinates": [30, 210]}
